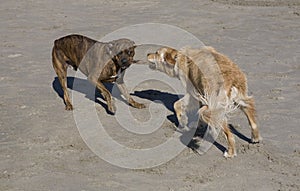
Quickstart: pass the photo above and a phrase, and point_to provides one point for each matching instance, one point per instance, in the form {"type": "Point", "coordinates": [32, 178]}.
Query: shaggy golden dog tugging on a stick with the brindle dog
{"type": "Point", "coordinates": [213, 82]}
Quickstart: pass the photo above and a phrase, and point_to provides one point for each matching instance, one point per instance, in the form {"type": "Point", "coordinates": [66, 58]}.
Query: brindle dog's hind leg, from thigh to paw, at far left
{"type": "Point", "coordinates": [60, 68]}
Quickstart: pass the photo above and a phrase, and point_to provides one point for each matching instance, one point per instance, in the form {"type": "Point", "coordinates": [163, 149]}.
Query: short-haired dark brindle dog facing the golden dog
{"type": "Point", "coordinates": [100, 62]}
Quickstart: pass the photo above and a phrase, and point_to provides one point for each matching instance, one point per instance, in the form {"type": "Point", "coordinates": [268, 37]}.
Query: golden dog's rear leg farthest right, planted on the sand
{"type": "Point", "coordinates": [249, 110]}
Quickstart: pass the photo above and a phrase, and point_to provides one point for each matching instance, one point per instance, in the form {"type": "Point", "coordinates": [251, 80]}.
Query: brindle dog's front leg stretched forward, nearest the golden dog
{"type": "Point", "coordinates": [123, 89]}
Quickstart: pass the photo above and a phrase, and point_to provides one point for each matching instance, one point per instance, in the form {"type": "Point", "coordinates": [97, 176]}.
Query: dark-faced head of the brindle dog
{"type": "Point", "coordinates": [122, 52]}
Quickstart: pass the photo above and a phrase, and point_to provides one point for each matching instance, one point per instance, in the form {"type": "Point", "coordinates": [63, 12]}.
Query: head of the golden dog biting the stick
{"type": "Point", "coordinates": [164, 60]}
